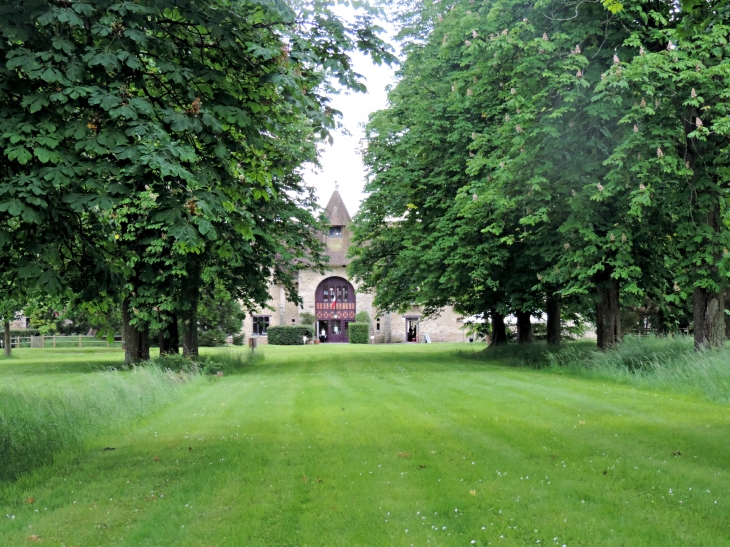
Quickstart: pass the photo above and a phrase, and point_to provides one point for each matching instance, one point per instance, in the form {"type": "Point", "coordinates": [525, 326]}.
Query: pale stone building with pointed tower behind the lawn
{"type": "Point", "coordinates": [335, 300]}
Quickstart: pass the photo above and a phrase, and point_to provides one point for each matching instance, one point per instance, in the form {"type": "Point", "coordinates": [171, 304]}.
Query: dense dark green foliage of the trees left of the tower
{"type": "Point", "coordinates": [154, 149]}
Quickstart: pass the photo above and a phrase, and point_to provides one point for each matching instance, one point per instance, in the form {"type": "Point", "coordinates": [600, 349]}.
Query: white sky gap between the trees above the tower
{"type": "Point", "coordinates": [342, 162]}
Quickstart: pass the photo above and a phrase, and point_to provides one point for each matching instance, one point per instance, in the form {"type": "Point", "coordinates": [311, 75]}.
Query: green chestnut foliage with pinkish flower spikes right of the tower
{"type": "Point", "coordinates": [529, 158]}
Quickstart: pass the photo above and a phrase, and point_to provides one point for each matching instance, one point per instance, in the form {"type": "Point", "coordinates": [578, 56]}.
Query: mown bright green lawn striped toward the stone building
{"type": "Point", "coordinates": [382, 445]}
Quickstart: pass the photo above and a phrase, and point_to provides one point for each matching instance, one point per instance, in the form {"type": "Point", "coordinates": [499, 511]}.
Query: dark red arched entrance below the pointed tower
{"type": "Point", "coordinates": [335, 308]}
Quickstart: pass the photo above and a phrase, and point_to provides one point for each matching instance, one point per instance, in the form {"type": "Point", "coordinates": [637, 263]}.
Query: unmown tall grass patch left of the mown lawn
{"type": "Point", "coordinates": [36, 426]}
